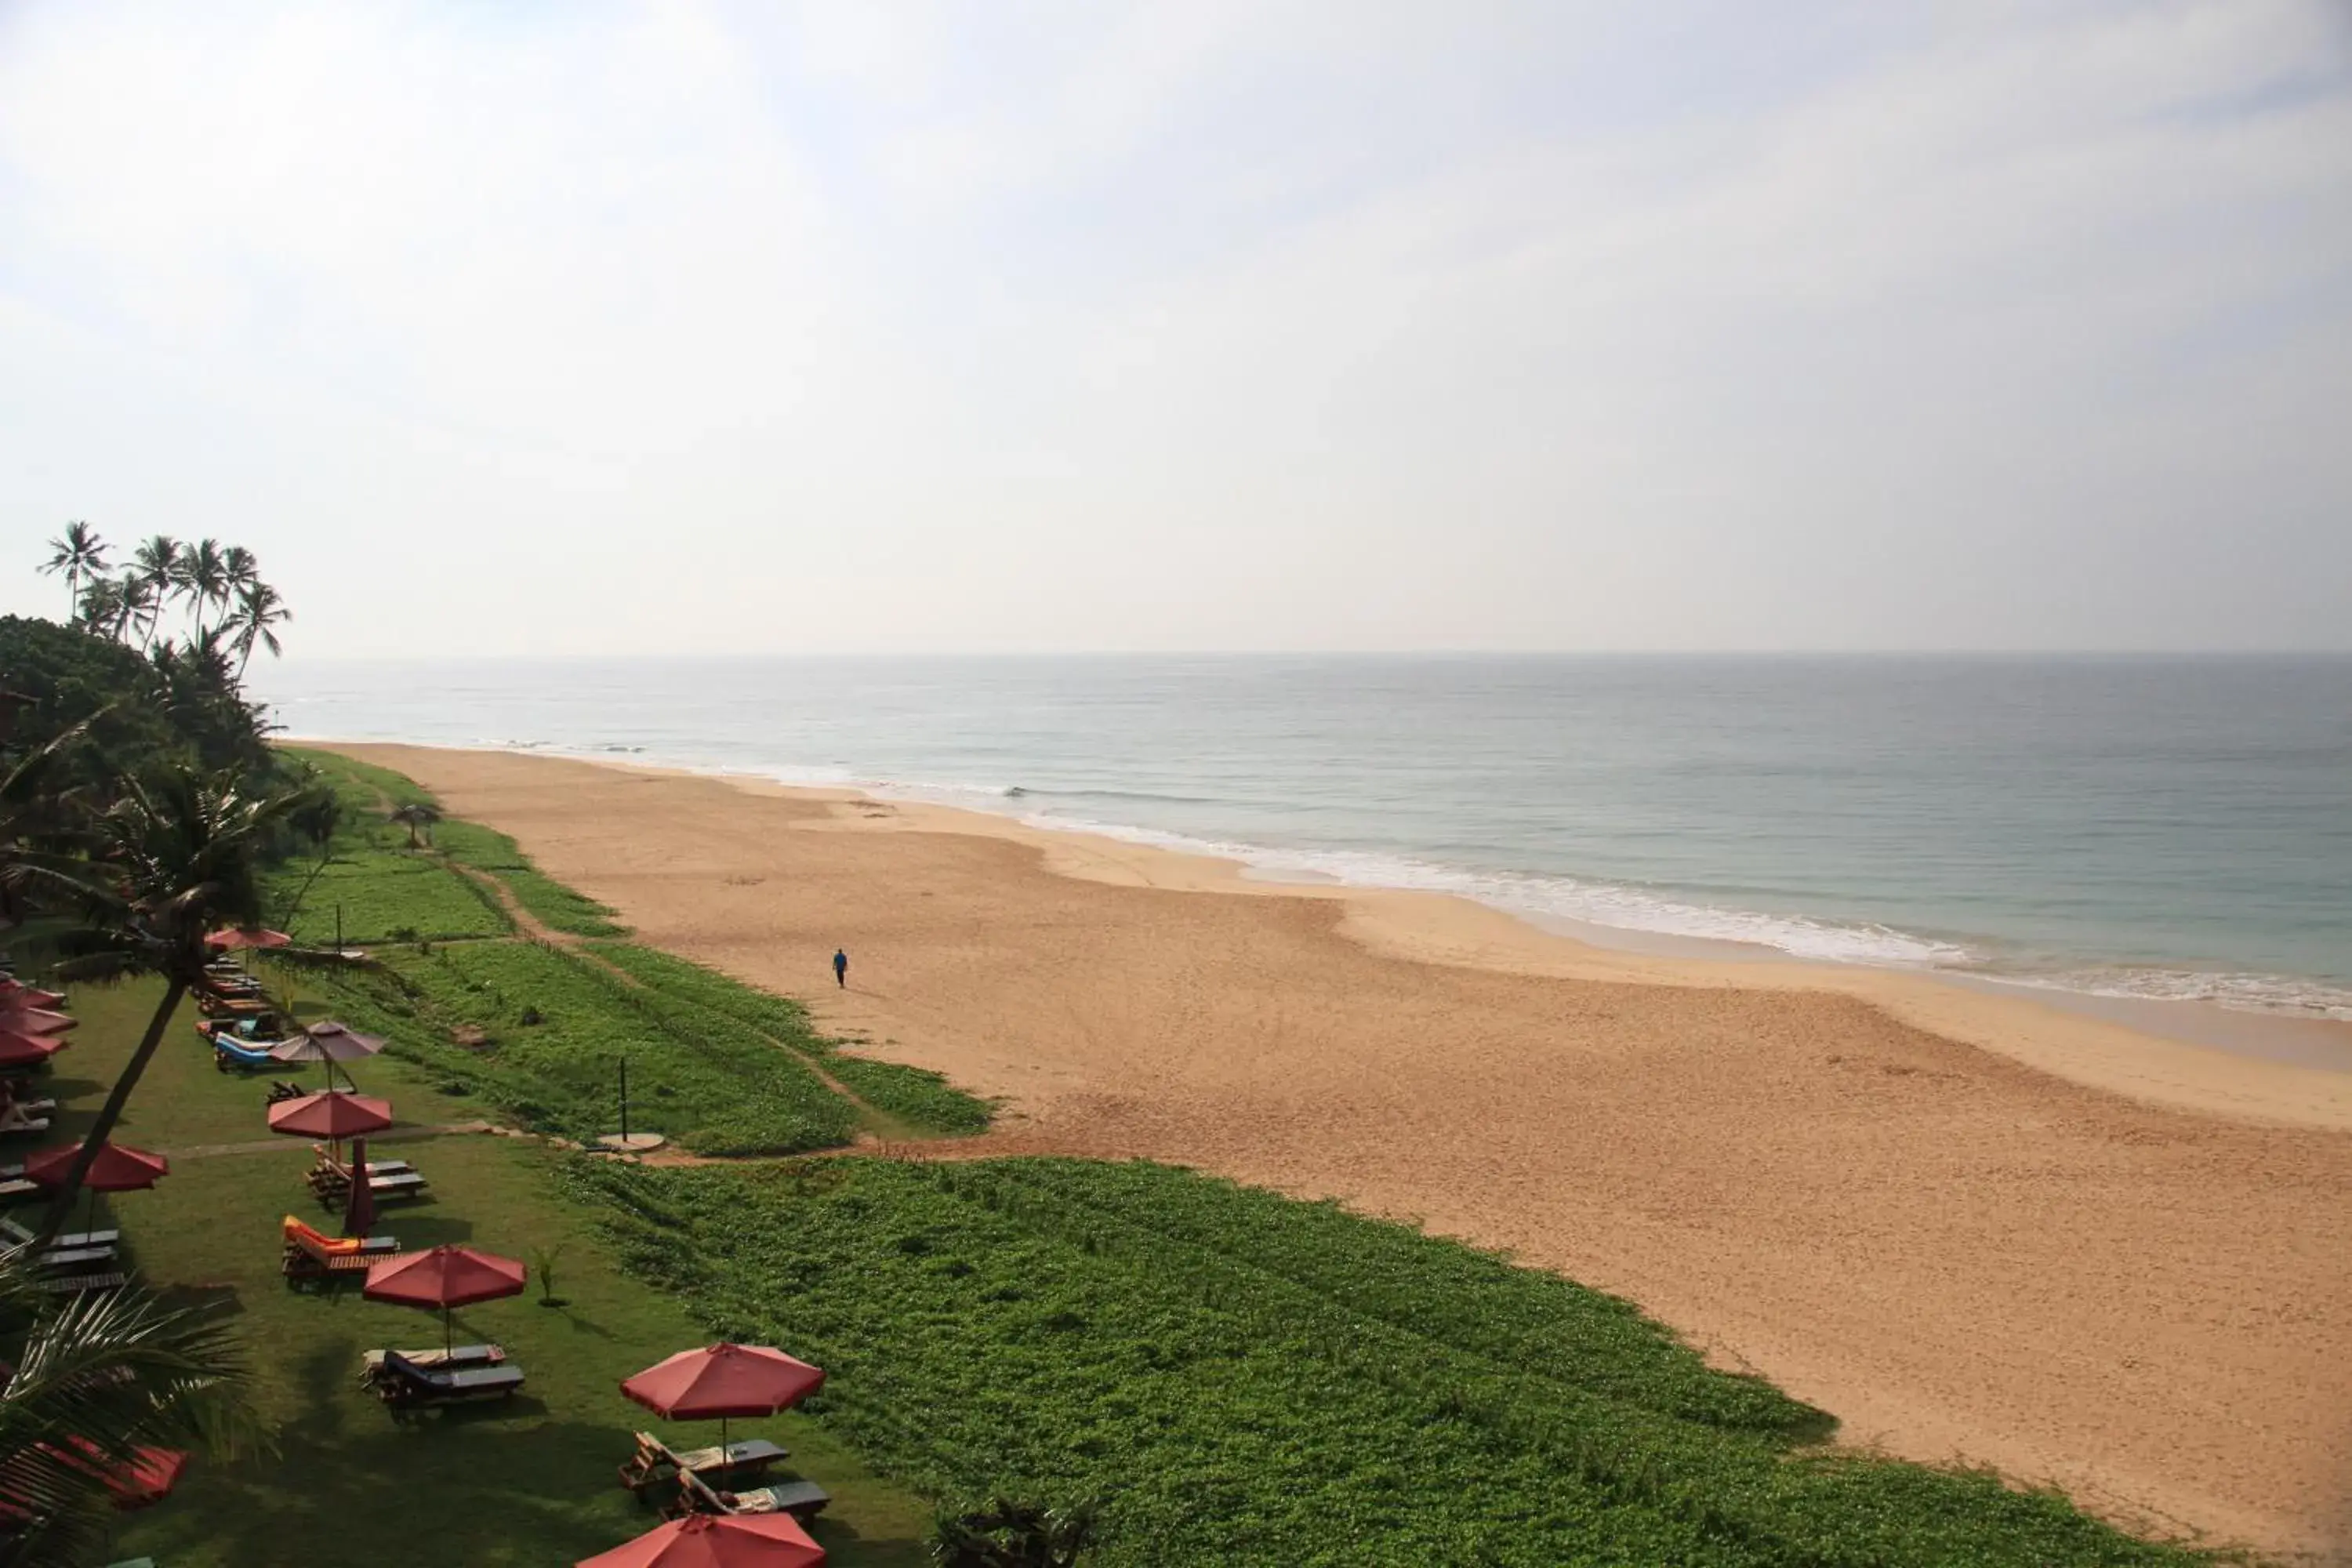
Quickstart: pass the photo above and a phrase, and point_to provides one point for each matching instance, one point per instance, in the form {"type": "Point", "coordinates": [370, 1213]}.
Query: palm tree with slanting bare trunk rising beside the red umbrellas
{"type": "Point", "coordinates": [171, 862]}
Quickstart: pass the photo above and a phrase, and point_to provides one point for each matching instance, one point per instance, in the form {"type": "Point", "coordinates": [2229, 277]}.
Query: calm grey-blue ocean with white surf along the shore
{"type": "Point", "coordinates": [2167, 829]}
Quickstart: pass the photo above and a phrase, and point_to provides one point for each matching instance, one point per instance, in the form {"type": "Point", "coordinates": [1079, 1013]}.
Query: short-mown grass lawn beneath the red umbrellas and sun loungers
{"type": "Point", "coordinates": [523, 1485]}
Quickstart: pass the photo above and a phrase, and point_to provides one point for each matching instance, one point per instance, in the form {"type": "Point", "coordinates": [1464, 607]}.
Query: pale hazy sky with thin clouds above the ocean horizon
{"type": "Point", "coordinates": [587, 328]}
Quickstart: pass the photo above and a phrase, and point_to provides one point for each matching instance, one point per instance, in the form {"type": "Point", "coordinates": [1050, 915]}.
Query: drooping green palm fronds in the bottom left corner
{"type": "Point", "coordinates": [93, 1379]}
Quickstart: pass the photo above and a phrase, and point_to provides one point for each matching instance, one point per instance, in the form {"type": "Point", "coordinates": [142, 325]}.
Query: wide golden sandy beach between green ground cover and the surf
{"type": "Point", "coordinates": [1975, 1228]}
